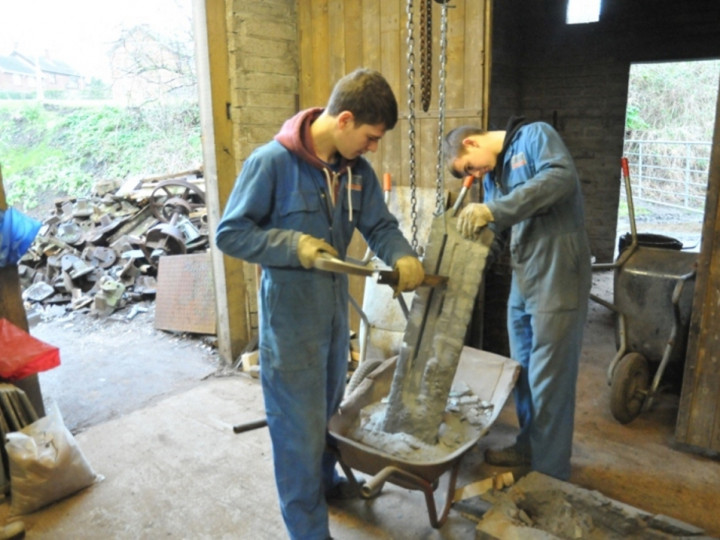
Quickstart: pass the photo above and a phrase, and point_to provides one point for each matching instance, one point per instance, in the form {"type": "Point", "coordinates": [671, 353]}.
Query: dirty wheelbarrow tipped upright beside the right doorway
{"type": "Point", "coordinates": [652, 297]}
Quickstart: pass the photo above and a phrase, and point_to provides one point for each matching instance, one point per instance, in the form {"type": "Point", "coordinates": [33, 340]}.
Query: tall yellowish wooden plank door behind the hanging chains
{"type": "Point", "coordinates": [336, 36]}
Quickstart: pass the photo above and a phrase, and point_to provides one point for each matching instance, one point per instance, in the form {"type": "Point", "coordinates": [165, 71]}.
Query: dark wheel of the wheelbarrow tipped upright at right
{"type": "Point", "coordinates": [629, 387]}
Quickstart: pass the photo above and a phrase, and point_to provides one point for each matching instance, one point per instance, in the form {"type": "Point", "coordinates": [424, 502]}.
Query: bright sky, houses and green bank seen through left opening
{"type": "Point", "coordinates": [94, 93]}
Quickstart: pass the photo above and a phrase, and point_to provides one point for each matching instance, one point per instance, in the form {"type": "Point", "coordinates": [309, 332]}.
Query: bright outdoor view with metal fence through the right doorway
{"type": "Point", "coordinates": [669, 127]}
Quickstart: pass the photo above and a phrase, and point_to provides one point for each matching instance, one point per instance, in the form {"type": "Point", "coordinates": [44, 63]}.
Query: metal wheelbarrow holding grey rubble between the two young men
{"type": "Point", "coordinates": [489, 376]}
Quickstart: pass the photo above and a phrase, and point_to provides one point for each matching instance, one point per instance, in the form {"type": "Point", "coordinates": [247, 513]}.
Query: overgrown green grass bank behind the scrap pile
{"type": "Point", "coordinates": [49, 150]}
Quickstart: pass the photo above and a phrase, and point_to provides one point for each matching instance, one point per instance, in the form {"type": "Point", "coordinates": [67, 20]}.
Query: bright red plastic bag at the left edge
{"type": "Point", "coordinates": [22, 355]}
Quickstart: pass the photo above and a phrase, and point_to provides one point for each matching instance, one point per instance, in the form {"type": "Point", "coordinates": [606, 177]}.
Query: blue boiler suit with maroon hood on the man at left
{"type": "Point", "coordinates": [281, 193]}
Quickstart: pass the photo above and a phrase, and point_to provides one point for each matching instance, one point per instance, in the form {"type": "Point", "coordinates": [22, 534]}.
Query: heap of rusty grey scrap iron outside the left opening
{"type": "Point", "coordinates": [101, 253]}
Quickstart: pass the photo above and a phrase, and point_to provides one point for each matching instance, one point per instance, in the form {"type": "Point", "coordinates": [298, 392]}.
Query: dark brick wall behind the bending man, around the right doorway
{"type": "Point", "coordinates": [576, 77]}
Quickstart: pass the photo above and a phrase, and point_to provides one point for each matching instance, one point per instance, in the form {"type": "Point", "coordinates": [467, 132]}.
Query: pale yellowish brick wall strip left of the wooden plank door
{"type": "Point", "coordinates": [263, 50]}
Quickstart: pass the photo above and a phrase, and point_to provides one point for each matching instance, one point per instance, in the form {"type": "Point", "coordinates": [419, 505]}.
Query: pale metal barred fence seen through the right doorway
{"type": "Point", "coordinates": [670, 173]}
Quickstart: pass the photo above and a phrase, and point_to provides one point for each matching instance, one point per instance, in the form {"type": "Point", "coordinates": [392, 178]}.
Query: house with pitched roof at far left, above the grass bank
{"type": "Point", "coordinates": [21, 78]}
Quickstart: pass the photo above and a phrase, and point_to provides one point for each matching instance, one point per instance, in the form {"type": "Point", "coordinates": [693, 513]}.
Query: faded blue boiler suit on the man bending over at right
{"type": "Point", "coordinates": [535, 191]}
